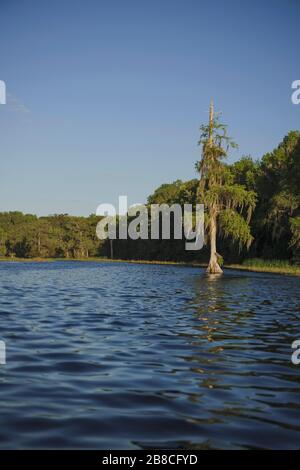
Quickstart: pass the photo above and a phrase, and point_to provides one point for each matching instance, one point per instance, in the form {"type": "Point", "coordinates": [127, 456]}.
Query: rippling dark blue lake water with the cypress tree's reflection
{"type": "Point", "coordinates": [113, 355]}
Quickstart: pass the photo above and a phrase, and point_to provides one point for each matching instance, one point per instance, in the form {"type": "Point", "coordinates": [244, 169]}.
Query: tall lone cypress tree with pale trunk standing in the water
{"type": "Point", "coordinates": [228, 206]}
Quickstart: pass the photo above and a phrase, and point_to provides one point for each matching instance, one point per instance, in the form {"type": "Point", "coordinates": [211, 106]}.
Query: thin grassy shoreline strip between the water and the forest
{"type": "Point", "coordinates": [285, 270]}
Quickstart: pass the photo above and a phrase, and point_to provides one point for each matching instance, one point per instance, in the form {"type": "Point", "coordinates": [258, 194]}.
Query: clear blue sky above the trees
{"type": "Point", "coordinates": [106, 97]}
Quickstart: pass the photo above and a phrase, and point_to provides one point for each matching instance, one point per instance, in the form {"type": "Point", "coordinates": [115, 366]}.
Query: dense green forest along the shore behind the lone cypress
{"type": "Point", "coordinates": [275, 224]}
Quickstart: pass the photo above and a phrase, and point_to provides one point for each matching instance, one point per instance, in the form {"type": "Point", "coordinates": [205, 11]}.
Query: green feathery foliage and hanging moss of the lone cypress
{"type": "Point", "coordinates": [227, 192]}
